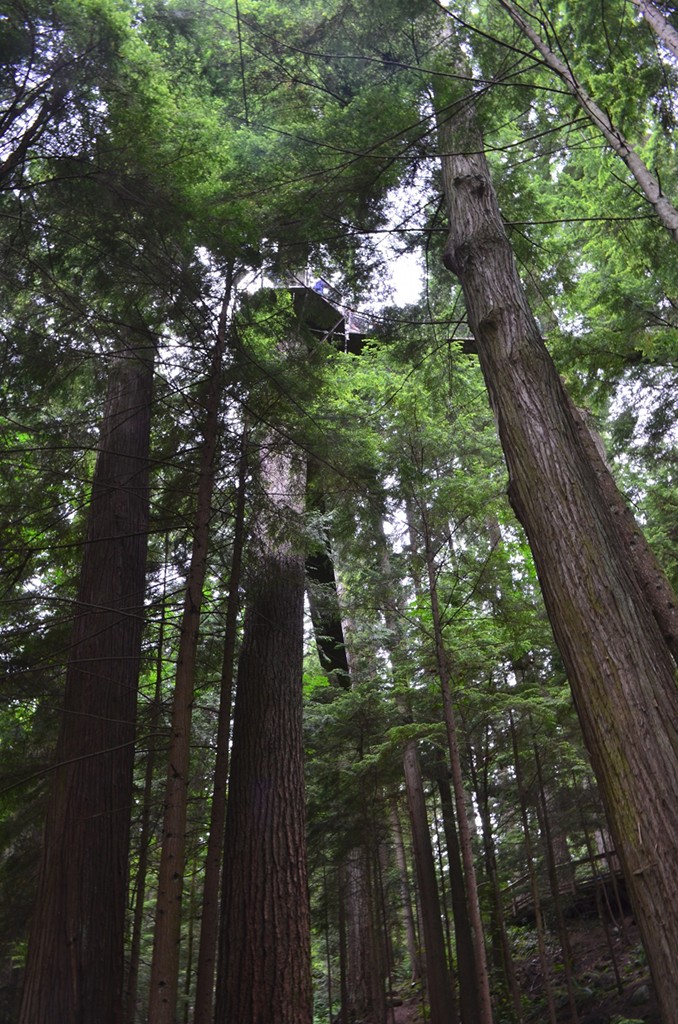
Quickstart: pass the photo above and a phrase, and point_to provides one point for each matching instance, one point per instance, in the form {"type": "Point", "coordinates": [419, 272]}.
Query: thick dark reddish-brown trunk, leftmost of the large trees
{"type": "Point", "coordinates": [75, 969]}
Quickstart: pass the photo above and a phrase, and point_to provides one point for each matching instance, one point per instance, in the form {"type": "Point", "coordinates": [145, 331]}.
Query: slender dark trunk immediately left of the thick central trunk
{"type": "Point", "coordinates": [210, 916]}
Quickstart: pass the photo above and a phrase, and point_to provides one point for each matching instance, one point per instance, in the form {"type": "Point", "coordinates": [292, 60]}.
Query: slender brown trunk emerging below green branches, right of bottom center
{"type": "Point", "coordinates": [441, 995]}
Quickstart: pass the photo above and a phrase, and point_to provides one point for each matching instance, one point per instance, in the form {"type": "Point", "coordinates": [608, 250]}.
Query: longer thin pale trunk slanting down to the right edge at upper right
{"type": "Point", "coordinates": [614, 137]}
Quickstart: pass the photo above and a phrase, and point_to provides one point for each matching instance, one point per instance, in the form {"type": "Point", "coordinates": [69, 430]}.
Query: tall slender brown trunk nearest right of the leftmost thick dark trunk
{"type": "Point", "coordinates": [167, 936]}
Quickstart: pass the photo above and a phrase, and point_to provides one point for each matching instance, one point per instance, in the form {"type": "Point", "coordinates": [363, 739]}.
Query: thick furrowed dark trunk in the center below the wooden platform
{"type": "Point", "coordinates": [265, 959]}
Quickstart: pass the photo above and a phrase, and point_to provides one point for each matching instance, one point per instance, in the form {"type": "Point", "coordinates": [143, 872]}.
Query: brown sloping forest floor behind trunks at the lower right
{"type": "Point", "coordinates": [597, 989]}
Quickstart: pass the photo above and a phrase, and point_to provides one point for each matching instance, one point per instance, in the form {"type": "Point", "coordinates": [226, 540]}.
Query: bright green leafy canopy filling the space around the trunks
{"type": "Point", "coordinates": [175, 140]}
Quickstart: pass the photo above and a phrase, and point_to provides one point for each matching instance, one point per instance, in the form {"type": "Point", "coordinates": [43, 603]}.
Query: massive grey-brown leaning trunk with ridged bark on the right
{"type": "Point", "coordinates": [620, 668]}
